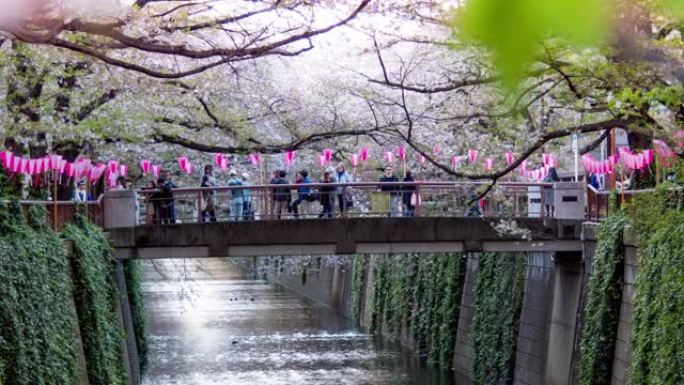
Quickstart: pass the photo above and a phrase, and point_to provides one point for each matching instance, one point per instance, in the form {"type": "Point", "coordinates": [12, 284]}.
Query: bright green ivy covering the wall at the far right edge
{"type": "Point", "coordinates": [658, 325]}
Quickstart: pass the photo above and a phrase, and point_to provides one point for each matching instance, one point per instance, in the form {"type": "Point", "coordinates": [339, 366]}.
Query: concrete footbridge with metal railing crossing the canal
{"type": "Point", "coordinates": [513, 217]}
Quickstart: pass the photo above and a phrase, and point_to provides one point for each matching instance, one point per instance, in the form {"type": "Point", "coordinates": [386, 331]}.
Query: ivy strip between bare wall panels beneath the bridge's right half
{"type": "Point", "coordinates": [498, 303]}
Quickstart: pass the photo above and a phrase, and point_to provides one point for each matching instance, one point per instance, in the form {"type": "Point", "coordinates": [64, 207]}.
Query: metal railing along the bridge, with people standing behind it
{"type": "Point", "coordinates": [330, 200]}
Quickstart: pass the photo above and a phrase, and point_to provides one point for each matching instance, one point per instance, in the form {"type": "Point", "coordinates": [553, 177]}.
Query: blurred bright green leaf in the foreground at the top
{"type": "Point", "coordinates": [514, 30]}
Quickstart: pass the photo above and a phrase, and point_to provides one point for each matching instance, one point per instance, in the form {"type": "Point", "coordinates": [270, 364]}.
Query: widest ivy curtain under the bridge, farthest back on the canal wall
{"type": "Point", "coordinates": [419, 295]}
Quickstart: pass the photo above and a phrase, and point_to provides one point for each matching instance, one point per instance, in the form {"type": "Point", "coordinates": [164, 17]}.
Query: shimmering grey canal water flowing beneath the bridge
{"type": "Point", "coordinates": [210, 325]}
